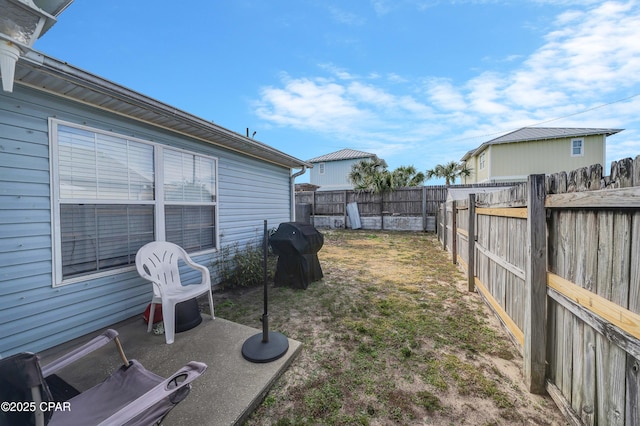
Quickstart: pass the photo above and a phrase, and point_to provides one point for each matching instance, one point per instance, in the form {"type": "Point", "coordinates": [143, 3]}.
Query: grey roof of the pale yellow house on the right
{"type": "Point", "coordinates": [541, 133]}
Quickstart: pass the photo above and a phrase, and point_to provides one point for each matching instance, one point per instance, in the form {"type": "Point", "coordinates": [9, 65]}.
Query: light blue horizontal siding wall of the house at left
{"type": "Point", "coordinates": [33, 314]}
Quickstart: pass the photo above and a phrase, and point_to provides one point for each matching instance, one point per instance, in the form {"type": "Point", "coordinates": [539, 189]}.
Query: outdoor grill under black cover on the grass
{"type": "Point", "coordinates": [297, 245]}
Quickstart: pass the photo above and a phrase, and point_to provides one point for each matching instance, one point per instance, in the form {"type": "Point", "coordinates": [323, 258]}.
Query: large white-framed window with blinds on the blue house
{"type": "Point", "coordinates": [108, 190]}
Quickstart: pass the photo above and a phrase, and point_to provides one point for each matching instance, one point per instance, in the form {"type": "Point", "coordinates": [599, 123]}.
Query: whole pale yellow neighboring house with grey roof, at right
{"type": "Point", "coordinates": [532, 150]}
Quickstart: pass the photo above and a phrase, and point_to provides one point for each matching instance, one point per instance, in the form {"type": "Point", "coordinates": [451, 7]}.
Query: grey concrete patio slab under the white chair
{"type": "Point", "coordinates": [225, 394]}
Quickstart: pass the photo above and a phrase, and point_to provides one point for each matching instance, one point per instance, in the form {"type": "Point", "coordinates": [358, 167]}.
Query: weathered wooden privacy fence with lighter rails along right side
{"type": "Point", "coordinates": [557, 260]}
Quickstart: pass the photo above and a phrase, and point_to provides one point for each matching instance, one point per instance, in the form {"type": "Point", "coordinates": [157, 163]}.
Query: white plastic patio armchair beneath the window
{"type": "Point", "coordinates": [157, 262]}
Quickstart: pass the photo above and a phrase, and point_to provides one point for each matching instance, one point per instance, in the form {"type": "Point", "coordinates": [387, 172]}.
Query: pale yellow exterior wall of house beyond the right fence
{"type": "Point", "coordinates": [515, 161]}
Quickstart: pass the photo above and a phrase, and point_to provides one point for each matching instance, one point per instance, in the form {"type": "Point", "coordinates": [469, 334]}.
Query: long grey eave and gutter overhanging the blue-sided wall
{"type": "Point", "coordinates": [43, 73]}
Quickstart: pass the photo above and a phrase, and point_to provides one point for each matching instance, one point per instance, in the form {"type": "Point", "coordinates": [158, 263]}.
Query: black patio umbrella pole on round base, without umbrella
{"type": "Point", "coordinates": [265, 347]}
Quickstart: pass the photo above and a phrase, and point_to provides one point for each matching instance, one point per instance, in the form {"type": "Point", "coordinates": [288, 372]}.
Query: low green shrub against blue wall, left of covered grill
{"type": "Point", "coordinates": [238, 267]}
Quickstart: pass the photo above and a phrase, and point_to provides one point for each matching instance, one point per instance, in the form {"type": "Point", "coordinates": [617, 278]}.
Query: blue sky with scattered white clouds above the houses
{"type": "Point", "coordinates": [417, 82]}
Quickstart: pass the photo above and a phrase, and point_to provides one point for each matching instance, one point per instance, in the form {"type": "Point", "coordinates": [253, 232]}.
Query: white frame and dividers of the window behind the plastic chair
{"type": "Point", "coordinates": [158, 202]}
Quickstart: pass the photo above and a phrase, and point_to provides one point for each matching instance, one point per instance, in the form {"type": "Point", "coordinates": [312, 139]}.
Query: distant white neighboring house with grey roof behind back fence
{"type": "Point", "coordinates": [331, 171]}
